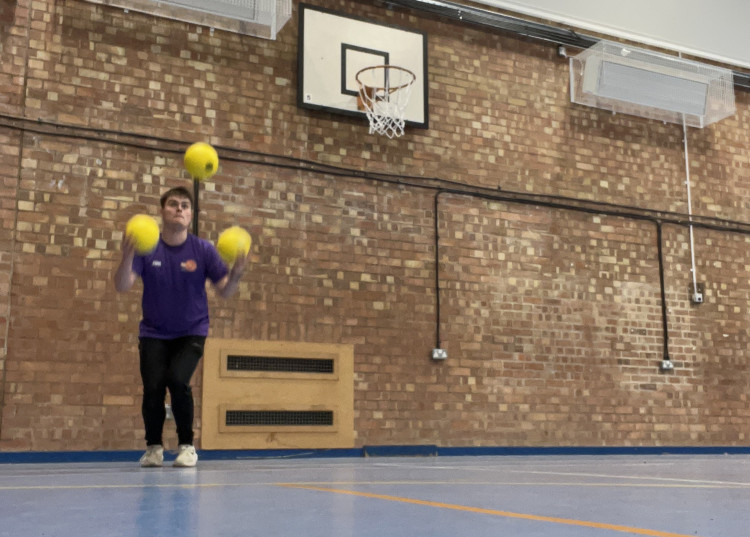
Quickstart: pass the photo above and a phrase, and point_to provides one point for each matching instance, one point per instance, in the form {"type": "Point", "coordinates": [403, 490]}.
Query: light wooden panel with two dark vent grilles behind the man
{"type": "Point", "coordinates": [227, 390]}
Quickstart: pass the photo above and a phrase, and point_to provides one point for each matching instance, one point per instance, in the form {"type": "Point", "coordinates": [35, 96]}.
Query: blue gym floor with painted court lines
{"type": "Point", "coordinates": [529, 496]}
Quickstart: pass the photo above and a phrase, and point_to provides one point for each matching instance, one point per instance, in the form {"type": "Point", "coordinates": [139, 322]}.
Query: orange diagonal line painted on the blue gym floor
{"type": "Point", "coordinates": [508, 514]}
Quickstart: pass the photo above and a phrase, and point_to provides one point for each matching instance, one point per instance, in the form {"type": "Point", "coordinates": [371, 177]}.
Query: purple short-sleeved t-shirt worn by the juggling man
{"type": "Point", "coordinates": [174, 287]}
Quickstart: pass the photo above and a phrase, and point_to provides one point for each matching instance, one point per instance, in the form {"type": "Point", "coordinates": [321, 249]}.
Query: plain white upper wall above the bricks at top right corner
{"type": "Point", "coordinates": [711, 29]}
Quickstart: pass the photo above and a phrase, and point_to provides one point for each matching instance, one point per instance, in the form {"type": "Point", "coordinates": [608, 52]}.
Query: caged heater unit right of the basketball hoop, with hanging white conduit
{"type": "Point", "coordinates": [648, 84]}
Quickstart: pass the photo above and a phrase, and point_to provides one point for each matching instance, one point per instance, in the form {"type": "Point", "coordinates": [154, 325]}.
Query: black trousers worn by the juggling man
{"type": "Point", "coordinates": [169, 364]}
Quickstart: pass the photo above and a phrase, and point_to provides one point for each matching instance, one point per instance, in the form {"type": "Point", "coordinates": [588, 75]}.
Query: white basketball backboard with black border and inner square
{"type": "Point", "coordinates": [333, 47]}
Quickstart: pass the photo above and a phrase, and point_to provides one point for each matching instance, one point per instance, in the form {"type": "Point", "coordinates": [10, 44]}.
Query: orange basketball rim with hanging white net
{"type": "Point", "coordinates": [384, 92]}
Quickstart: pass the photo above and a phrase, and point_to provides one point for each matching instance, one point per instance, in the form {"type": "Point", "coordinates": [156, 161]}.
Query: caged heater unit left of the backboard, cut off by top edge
{"type": "Point", "coordinates": [259, 18]}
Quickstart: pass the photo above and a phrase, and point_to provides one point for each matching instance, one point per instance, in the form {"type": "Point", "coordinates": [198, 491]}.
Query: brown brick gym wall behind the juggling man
{"type": "Point", "coordinates": [551, 315]}
